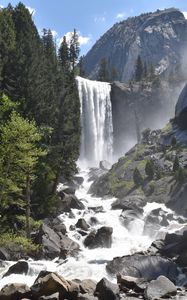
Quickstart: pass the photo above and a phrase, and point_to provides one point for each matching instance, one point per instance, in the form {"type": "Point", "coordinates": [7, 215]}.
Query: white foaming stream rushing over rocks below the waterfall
{"type": "Point", "coordinates": [92, 263]}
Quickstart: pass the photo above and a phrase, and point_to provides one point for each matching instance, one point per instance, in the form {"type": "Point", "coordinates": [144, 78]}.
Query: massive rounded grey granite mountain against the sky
{"type": "Point", "coordinates": [160, 38]}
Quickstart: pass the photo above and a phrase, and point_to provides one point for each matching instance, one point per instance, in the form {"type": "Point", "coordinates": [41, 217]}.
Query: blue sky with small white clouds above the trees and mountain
{"type": "Point", "coordinates": [91, 18]}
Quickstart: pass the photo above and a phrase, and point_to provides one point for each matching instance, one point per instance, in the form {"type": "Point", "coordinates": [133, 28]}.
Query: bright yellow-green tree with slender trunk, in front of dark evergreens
{"type": "Point", "coordinates": [19, 155]}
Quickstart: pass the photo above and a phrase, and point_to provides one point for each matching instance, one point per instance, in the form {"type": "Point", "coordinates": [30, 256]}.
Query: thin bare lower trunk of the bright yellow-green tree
{"type": "Point", "coordinates": [28, 208]}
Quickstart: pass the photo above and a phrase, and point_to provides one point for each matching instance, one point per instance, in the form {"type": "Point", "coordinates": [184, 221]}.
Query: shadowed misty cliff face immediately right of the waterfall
{"type": "Point", "coordinates": [138, 106]}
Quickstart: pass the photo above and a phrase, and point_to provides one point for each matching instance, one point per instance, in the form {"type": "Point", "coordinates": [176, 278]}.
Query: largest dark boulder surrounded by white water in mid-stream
{"type": "Point", "coordinates": [102, 238]}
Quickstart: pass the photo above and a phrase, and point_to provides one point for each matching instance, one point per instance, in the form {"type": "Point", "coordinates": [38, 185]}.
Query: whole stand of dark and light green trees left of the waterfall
{"type": "Point", "coordinates": [41, 86]}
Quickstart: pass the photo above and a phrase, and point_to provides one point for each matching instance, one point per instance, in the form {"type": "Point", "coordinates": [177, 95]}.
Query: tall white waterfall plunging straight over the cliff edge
{"type": "Point", "coordinates": [96, 121]}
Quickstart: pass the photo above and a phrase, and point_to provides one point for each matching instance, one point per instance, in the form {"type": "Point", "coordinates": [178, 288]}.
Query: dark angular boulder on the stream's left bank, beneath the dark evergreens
{"type": "Point", "coordinates": [68, 202]}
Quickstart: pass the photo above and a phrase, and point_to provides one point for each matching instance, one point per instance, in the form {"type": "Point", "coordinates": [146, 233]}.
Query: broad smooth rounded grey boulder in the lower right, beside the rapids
{"type": "Point", "coordinates": [145, 266]}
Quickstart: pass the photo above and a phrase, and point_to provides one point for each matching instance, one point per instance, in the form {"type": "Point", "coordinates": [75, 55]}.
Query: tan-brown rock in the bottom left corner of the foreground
{"type": "Point", "coordinates": [14, 291]}
